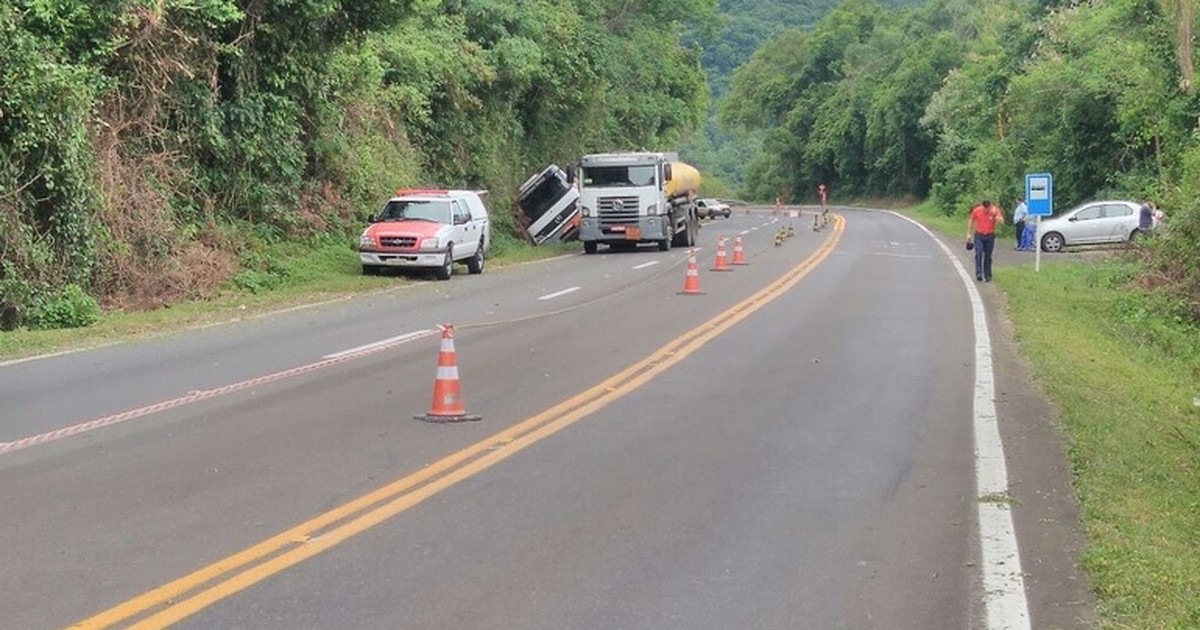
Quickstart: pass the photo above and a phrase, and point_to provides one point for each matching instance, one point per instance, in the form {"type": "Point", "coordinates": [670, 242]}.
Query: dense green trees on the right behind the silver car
{"type": "Point", "coordinates": [957, 101]}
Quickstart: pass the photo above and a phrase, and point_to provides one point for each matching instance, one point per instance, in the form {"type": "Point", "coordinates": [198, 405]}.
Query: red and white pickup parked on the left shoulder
{"type": "Point", "coordinates": [428, 230]}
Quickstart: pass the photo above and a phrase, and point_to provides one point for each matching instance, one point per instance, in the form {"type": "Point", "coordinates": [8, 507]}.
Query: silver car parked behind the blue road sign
{"type": "Point", "coordinates": [1095, 223]}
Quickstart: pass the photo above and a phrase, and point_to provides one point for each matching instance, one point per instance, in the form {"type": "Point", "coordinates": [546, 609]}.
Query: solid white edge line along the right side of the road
{"type": "Point", "coordinates": [1004, 586]}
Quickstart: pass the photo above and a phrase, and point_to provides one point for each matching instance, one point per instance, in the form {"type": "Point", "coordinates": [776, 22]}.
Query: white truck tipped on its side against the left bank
{"type": "Point", "coordinates": [551, 207]}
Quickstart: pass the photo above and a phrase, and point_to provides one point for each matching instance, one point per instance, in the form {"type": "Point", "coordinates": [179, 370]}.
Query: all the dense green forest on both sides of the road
{"type": "Point", "coordinates": [152, 149]}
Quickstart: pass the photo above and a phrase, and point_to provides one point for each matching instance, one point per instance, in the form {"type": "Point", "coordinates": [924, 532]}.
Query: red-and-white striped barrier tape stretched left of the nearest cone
{"type": "Point", "coordinates": [202, 395]}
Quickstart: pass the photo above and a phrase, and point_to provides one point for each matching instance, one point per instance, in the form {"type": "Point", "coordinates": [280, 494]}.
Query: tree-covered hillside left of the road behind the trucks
{"type": "Point", "coordinates": [148, 149]}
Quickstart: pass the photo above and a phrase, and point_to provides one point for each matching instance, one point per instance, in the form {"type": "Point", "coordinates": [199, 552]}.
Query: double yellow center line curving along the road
{"type": "Point", "coordinates": [188, 596]}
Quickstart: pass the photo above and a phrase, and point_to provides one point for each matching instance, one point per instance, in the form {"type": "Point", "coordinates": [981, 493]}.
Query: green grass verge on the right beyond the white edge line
{"type": "Point", "coordinates": [1124, 376]}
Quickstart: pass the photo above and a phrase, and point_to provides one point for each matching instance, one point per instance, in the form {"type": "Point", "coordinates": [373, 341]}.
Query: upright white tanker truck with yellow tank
{"type": "Point", "coordinates": [638, 197]}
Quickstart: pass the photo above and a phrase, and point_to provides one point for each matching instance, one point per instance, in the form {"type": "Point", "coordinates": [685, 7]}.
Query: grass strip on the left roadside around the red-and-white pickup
{"type": "Point", "coordinates": [283, 277]}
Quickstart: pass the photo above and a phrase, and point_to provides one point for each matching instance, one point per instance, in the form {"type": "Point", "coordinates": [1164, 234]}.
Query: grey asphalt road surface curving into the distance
{"type": "Point", "coordinates": [791, 449]}
